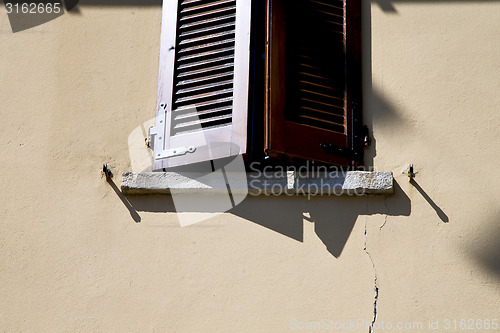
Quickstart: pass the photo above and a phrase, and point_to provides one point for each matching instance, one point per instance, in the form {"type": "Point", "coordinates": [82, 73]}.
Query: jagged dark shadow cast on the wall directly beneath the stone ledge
{"type": "Point", "coordinates": [334, 217]}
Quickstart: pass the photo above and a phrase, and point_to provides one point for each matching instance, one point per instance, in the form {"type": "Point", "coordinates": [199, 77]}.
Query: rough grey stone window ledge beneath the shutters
{"type": "Point", "coordinates": [342, 183]}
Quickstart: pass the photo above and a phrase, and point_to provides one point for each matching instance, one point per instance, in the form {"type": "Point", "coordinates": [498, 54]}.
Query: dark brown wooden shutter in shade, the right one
{"type": "Point", "coordinates": [314, 69]}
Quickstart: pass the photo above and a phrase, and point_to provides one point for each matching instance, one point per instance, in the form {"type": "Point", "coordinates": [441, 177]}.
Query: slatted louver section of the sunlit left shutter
{"type": "Point", "coordinates": [207, 46]}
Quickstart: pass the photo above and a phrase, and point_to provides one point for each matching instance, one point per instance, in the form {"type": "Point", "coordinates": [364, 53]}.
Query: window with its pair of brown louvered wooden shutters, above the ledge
{"type": "Point", "coordinates": [275, 77]}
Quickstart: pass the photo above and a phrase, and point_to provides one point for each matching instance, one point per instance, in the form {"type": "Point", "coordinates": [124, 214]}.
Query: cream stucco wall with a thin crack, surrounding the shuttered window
{"type": "Point", "coordinates": [73, 258]}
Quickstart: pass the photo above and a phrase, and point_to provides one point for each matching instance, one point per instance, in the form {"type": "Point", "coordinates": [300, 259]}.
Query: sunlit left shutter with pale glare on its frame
{"type": "Point", "coordinates": [203, 81]}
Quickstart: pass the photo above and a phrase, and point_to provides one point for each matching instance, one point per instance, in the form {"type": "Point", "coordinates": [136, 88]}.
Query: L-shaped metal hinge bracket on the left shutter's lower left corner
{"type": "Point", "coordinates": [157, 136]}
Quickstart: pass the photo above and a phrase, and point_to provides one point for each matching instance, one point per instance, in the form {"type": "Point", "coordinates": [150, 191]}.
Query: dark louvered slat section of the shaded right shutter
{"type": "Point", "coordinates": [318, 65]}
